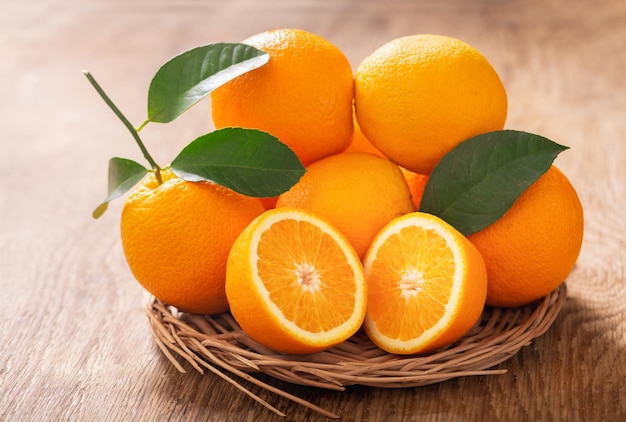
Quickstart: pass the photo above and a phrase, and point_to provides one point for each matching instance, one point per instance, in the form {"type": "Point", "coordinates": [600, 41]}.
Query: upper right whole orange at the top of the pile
{"type": "Point", "coordinates": [418, 96]}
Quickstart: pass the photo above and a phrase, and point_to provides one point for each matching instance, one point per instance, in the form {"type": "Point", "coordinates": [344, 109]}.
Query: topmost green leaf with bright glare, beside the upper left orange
{"type": "Point", "coordinates": [190, 76]}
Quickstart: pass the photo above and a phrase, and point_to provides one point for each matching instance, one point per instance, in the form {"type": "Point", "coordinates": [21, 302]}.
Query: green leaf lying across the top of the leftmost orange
{"type": "Point", "coordinates": [248, 161]}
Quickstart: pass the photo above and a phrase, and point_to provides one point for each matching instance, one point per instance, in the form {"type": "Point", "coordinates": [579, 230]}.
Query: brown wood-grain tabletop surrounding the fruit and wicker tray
{"type": "Point", "coordinates": [76, 344]}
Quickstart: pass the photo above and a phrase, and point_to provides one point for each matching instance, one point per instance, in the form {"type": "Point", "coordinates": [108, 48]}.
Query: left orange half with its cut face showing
{"type": "Point", "coordinates": [294, 283]}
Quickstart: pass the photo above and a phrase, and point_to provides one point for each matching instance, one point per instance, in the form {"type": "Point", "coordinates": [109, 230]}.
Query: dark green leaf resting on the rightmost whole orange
{"type": "Point", "coordinates": [479, 180]}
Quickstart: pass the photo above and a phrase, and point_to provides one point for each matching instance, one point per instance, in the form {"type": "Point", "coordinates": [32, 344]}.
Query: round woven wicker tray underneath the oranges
{"type": "Point", "coordinates": [216, 343]}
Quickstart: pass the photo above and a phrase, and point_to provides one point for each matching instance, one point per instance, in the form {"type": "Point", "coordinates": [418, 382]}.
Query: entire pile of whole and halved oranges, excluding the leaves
{"type": "Point", "coordinates": [346, 246]}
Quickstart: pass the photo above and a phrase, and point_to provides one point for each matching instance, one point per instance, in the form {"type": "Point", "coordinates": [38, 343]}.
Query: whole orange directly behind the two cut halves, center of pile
{"type": "Point", "coordinates": [357, 192]}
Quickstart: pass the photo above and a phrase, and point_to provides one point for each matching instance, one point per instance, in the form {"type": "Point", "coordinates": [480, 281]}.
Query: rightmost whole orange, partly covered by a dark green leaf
{"type": "Point", "coordinates": [533, 247]}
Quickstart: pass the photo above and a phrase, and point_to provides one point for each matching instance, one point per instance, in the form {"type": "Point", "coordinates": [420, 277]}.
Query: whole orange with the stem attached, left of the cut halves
{"type": "Point", "coordinates": [176, 237]}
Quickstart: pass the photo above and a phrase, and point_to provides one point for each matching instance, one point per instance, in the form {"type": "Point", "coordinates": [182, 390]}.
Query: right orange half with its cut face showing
{"type": "Point", "coordinates": [426, 284]}
